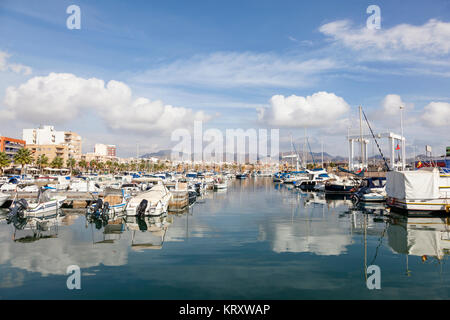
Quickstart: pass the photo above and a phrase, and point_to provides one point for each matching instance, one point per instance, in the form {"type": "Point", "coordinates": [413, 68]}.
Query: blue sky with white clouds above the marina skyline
{"type": "Point", "coordinates": [136, 71]}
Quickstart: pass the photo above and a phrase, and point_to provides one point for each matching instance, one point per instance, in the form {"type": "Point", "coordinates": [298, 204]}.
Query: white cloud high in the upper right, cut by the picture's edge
{"type": "Point", "coordinates": [431, 38]}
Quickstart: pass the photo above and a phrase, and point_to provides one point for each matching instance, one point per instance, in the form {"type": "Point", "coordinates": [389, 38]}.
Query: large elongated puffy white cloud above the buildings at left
{"type": "Point", "coordinates": [60, 97]}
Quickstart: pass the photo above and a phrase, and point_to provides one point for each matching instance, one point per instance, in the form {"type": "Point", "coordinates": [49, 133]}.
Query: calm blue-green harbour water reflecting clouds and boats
{"type": "Point", "coordinates": [257, 240]}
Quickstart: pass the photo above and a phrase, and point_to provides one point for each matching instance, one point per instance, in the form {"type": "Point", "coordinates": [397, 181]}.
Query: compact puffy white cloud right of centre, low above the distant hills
{"type": "Point", "coordinates": [319, 109]}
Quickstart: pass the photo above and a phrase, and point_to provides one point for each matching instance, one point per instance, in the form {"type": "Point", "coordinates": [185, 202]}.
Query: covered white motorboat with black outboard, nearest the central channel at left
{"type": "Point", "coordinates": [153, 202]}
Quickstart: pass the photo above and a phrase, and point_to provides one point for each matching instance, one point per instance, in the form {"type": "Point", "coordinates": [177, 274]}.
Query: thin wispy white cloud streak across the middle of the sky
{"type": "Point", "coordinates": [233, 69]}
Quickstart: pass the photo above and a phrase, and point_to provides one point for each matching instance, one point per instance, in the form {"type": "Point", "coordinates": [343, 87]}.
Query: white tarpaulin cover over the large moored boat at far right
{"type": "Point", "coordinates": [418, 184]}
